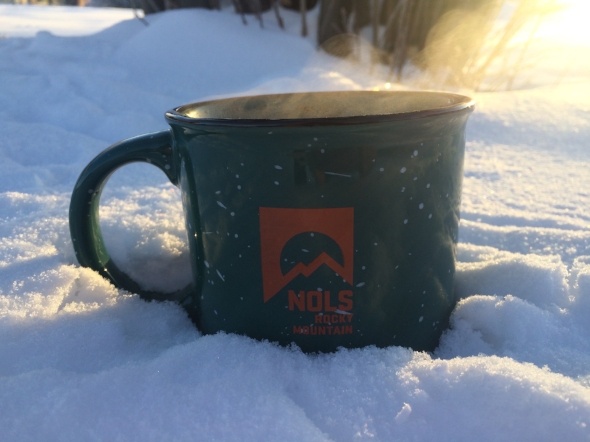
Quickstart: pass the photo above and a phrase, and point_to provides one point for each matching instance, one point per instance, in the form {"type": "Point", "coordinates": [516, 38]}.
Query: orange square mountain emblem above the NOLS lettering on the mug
{"type": "Point", "coordinates": [290, 238]}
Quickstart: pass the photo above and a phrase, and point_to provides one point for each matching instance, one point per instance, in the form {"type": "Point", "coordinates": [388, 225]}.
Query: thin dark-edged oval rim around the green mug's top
{"type": "Point", "coordinates": [457, 103]}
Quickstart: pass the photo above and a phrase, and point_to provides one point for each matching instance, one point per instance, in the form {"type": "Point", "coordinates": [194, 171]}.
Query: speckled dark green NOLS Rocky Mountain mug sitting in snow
{"type": "Point", "coordinates": [323, 219]}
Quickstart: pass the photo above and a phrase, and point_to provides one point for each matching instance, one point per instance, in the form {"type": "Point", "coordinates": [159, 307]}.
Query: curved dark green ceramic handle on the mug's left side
{"type": "Point", "coordinates": [155, 149]}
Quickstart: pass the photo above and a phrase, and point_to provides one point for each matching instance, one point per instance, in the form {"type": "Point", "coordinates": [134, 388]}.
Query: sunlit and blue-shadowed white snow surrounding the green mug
{"type": "Point", "coordinates": [80, 360]}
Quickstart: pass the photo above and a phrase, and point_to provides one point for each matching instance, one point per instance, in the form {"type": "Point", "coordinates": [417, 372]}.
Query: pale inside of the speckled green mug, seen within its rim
{"type": "Point", "coordinates": [321, 106]}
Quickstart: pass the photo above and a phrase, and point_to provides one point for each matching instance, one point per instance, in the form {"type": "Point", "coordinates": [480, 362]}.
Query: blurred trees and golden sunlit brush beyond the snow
{"type": "Point", "coordinates": [481, 45]}
